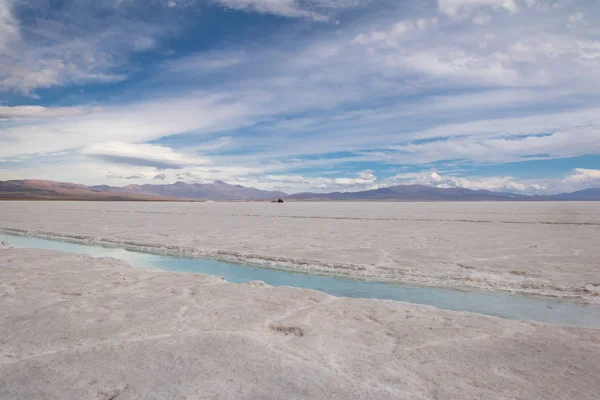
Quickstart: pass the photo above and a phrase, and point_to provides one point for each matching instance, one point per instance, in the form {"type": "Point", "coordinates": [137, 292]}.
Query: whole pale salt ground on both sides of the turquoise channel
{"type": "Point", "coordinates": [76, 327]}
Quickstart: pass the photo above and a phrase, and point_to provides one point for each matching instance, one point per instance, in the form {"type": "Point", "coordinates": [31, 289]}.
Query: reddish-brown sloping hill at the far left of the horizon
{"type": "Point", "coordinates": [32, 189]}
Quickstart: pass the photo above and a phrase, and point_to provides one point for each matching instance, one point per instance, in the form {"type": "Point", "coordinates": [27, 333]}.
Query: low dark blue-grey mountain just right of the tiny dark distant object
{"type": "Point", "coordinates": [410, 193]}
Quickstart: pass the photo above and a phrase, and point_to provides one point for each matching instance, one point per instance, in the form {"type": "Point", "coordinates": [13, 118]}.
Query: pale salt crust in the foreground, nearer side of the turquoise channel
{"type": "Point", "coordinates": [75, 327]}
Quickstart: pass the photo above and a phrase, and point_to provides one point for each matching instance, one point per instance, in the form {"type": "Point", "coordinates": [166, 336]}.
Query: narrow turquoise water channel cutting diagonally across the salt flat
{"type": "Point", "coordinates": [504, 305]}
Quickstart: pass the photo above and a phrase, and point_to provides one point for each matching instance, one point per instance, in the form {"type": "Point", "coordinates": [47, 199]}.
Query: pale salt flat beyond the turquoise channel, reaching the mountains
{"type": "Point", "coordinates": [540, 248]}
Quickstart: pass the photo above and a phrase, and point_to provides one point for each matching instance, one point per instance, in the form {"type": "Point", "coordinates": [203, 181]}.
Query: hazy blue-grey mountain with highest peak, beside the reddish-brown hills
{"type": "Point", "coordinates": [218, 190]}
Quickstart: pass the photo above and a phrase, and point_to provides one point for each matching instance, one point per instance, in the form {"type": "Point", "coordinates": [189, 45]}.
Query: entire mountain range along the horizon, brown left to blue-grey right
{"type": "Point", "coordinates": [220, 191]}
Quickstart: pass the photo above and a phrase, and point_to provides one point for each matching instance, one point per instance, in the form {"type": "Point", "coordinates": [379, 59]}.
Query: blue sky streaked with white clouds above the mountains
{"type": "Point", "coordinates": [302, 95]}
